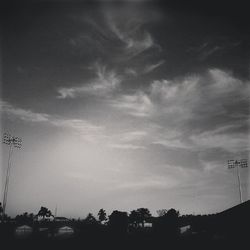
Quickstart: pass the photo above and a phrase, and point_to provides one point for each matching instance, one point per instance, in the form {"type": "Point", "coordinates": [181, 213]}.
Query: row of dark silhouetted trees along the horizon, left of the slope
{"type": "Point", "coordinates": [168, 221]}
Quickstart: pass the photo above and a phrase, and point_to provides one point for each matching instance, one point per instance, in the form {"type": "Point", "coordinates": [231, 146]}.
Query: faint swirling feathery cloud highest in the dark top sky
{"type": "Point", "coordinates": [117, 34]}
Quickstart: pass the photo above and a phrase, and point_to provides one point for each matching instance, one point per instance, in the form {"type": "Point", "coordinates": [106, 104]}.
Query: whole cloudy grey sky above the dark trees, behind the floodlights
{"type": "Point", "coordinates": [125, 104]}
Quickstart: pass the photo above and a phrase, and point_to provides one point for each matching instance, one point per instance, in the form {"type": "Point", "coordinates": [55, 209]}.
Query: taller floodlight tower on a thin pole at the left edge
{"type": "Point", "coordinates": [16, 142]}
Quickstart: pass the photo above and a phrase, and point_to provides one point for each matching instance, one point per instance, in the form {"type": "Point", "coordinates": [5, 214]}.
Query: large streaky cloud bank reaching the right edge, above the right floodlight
{"type": "Point", "coordinates": [201, 109]}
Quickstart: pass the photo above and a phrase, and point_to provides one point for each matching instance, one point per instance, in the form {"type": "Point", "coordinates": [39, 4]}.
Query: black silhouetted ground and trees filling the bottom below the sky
{"type": "Point", "coordinates": [136, 229]}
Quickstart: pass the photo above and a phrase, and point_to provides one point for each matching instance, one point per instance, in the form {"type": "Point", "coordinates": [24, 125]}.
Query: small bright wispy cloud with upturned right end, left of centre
{"type": "Point", "coordinates": [105, 83]}
